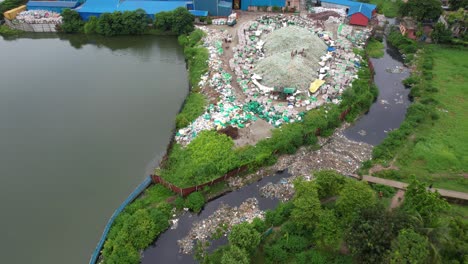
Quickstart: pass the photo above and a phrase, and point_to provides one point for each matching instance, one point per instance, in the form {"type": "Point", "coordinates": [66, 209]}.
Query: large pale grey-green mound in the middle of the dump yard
{"type": "Point", "coordinates": [292, 56]}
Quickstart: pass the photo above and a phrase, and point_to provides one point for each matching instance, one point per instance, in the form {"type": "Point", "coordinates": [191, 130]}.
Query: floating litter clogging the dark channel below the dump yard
{"type": "Point", "coordinates": [336, 153]}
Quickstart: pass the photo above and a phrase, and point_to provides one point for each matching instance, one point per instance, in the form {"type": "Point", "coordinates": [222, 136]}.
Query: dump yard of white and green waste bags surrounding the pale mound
{"type": "Point", "coordinates": [271, 74]}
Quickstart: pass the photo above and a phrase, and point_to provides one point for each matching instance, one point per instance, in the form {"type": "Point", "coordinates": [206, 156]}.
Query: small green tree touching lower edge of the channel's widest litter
{"type": "Point", "coordinates": [329, 183]}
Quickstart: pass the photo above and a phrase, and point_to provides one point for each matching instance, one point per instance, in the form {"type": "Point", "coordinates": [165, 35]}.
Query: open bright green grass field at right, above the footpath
{"type": "Point", "coordinates": [438, 152]}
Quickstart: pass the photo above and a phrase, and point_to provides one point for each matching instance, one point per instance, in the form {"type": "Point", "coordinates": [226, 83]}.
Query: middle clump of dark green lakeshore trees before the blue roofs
{"type": "Point", "coordinates": [126, 23]}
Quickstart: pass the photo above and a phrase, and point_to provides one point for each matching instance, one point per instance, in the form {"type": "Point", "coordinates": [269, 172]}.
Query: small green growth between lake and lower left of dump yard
{"type": "Point", "coordinates": [194, 106]}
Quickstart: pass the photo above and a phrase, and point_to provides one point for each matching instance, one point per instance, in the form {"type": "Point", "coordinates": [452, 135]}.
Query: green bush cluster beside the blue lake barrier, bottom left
{"type": "Point", "coordinates": [137, 226]}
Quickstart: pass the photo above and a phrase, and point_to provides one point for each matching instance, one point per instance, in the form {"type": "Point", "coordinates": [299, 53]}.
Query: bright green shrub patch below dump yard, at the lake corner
{"type": "Point", "coordinates": [207, 157]}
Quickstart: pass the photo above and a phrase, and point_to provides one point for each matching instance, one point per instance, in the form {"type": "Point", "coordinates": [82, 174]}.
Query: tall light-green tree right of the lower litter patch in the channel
{"type": "Point", "coordinates": [307, 206]}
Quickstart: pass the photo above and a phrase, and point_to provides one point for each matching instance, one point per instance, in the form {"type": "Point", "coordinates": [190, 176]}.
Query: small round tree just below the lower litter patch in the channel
{"type": "Point", "coordinates": [245, 237]}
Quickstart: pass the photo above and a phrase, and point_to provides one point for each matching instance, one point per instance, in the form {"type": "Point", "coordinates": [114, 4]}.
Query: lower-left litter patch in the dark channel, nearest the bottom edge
{"type": "Point", "coordinates": [221, 221]}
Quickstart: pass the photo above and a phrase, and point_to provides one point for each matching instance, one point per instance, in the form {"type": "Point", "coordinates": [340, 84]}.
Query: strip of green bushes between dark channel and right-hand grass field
{"type": "Point", "coordinates": [421, 111]}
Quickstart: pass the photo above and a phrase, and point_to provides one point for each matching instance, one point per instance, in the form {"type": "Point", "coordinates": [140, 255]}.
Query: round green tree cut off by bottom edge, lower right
{"type": "Point", "coordinates": [409, 248]}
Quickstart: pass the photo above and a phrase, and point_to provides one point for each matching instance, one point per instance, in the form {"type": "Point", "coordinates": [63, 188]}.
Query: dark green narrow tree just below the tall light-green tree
{"type": "Point", "coordinates": [328, 232]}
